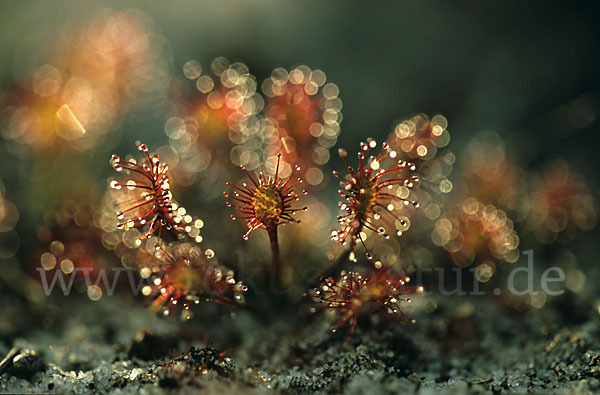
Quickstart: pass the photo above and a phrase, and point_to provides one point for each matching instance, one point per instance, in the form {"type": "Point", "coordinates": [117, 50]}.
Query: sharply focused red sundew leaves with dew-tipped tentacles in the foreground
{"type": "Point", "coordinates": [184, 274]}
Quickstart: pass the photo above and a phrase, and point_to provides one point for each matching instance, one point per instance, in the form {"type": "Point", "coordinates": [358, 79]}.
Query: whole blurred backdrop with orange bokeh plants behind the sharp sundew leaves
{"type": "Point", "coordinates": [507, 148]}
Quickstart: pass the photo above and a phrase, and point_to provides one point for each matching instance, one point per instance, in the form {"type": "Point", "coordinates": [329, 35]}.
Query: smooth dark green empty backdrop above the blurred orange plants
{"type": "Point", "coordinates": [502, 66]}
